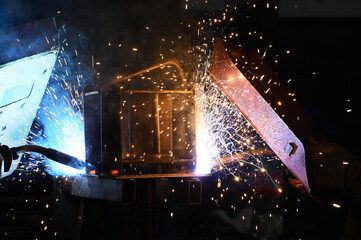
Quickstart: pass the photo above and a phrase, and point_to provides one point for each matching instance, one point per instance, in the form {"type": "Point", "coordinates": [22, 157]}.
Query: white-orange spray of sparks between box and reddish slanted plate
{"type": "Point", "coordinates": [226, 141]}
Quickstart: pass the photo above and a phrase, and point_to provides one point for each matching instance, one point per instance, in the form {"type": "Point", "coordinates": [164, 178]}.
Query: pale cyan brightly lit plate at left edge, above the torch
{"type": "Point", "coordinates": [22, 86]}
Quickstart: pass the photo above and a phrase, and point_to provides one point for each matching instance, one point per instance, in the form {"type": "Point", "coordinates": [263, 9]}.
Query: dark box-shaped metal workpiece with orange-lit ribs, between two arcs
{"type": "Point", "coordinates": [135, 128]}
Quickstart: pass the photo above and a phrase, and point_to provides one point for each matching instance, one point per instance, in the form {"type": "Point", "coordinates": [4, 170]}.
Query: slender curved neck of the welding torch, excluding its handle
{"type": "Point", "coordinates": [52, 154]}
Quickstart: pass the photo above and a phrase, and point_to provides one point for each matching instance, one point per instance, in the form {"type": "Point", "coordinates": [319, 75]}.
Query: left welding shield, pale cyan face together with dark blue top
{"type": "Point", "coordinates": [27, 56]}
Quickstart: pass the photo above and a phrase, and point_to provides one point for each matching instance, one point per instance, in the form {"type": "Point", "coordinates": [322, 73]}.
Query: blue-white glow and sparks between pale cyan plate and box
{"type": "Point", "coordinates": [59, 121]}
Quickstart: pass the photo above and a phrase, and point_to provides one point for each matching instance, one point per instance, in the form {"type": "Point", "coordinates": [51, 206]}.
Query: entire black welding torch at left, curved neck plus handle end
{"type": "Point", "coordinates": [7, 155]}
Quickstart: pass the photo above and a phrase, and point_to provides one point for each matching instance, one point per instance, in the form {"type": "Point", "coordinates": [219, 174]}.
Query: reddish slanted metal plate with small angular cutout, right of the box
{"type": "Point", "coordinates": [257, 111]}
